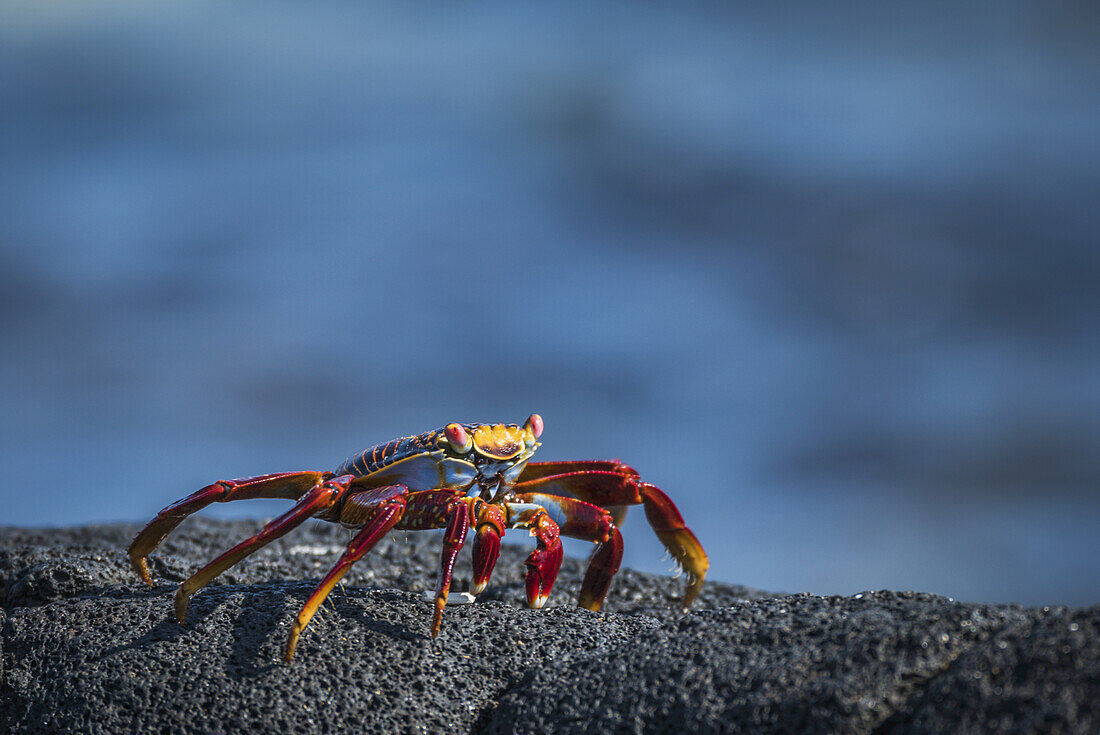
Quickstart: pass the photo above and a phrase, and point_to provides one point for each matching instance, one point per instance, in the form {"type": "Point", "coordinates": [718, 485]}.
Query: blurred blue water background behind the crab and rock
{"type": "Point", "coordinates": [830, 277]}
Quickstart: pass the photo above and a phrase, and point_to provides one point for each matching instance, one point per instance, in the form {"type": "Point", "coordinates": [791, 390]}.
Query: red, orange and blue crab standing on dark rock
{"type": "Point", "coordinates": [459, 478]}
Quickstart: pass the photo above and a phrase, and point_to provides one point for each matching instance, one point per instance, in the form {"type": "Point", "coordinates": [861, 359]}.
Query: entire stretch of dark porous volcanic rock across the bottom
{"type": "Point", "coordinates": [86, 649]}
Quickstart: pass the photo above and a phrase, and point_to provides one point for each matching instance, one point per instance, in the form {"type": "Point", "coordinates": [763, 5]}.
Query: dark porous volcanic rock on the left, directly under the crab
{"type": "Point", "coordinates": [86, 648]}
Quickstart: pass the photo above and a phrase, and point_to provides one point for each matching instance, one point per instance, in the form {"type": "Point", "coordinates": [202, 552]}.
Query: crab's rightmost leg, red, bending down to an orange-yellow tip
{"type": "Point", "coordinates": [620, 485]}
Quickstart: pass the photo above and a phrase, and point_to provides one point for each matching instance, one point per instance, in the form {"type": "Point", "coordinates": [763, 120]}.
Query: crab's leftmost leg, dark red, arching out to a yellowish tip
{"type": "Point", "coordinates": [291, 486]}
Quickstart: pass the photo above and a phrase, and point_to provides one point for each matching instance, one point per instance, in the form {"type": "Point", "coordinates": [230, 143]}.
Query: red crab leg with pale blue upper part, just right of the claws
{"type": "Point", "coordinates": [590, 523]}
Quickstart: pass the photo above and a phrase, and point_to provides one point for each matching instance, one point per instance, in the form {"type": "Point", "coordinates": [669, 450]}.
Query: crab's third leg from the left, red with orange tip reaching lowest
{"type": "Point", "coordinates": [379, 511]}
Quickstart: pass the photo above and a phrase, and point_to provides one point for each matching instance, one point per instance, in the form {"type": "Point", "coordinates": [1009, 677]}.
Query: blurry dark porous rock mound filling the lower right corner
{"type": "Point", "coordinates": [876, 663]}
